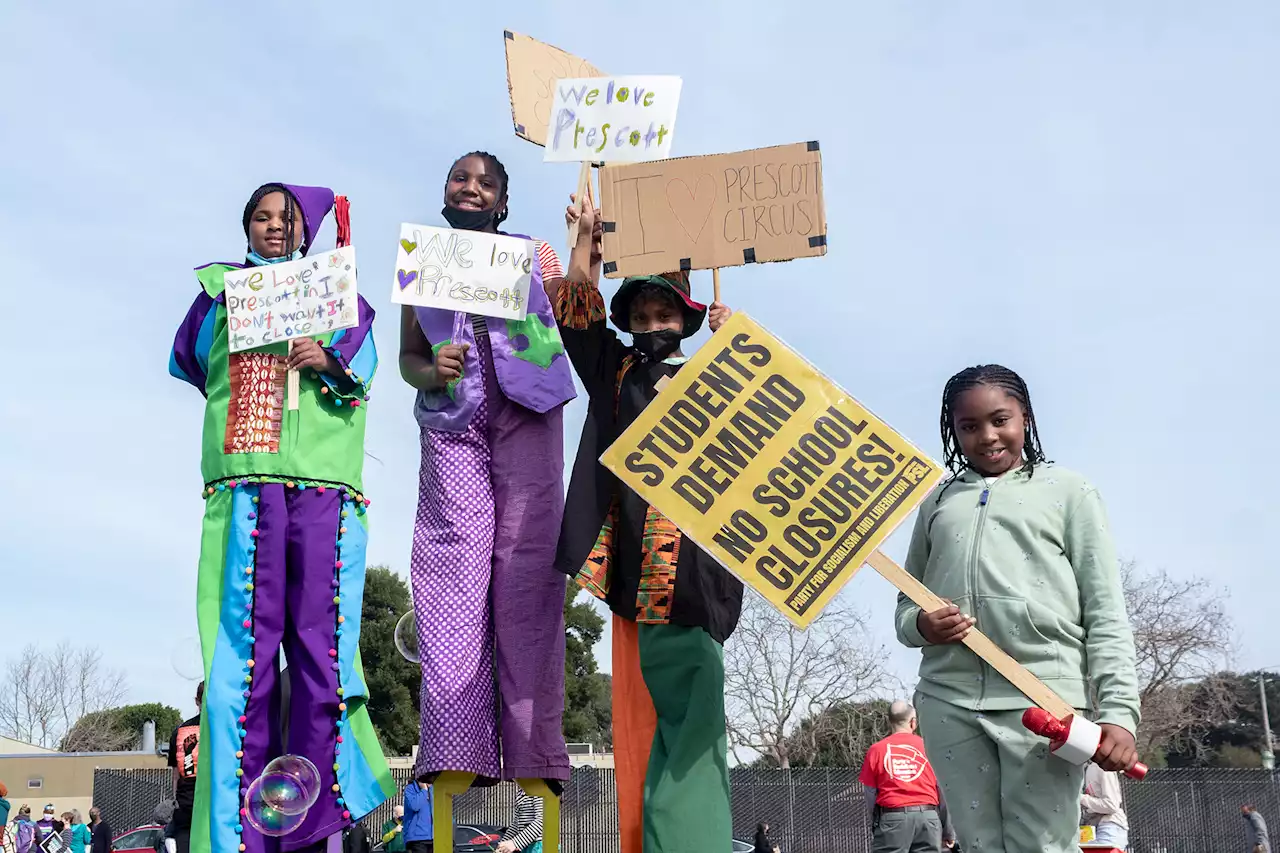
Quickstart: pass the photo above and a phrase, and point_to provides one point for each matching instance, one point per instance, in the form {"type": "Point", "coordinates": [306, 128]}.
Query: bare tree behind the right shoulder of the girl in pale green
{"type": "Point", "coordinates": [1183, 638]}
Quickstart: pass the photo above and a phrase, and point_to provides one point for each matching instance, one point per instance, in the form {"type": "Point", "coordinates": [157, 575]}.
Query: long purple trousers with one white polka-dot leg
{"type": "Point", "coordinates": [490, 606]}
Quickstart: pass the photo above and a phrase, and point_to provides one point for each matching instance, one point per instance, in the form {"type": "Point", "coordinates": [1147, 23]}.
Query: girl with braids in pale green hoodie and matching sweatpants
{"type": "Point", "coordinates": [1022, 550]}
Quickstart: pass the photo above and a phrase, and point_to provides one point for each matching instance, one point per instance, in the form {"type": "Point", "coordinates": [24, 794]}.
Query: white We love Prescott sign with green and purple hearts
{"type": "Point", "coordinates": [464, 271]}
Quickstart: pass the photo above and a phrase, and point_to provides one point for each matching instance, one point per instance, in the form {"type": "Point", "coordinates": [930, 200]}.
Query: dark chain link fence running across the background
{"type": "Point", "coordinates": [808, 811]}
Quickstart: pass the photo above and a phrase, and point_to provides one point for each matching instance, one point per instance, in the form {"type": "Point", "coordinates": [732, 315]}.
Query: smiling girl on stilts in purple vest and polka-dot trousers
{"type": "Point", "coordinates": [490, 408]}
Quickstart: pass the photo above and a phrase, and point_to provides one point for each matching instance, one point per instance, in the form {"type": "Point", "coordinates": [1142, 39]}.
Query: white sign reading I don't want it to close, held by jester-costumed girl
{"type": "Point", "coordinates": [299, 299]}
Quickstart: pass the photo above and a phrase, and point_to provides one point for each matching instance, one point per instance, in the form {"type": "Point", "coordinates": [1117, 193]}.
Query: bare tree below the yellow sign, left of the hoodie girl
{"type": "Point", "coordinates": [778, 677]}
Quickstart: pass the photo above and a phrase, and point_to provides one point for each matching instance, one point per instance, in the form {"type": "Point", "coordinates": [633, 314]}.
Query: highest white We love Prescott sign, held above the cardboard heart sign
{"type": "Point", "coordinates": [627, 120]}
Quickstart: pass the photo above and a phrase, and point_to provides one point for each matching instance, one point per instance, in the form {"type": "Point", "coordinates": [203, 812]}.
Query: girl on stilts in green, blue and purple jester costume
{"type": "Point", "coordinates": [282, 562]}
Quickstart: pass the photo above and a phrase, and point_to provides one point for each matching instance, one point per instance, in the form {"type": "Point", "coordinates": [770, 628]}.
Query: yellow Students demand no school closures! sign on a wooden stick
{"type": "Point", "coordinates": [772, 469]}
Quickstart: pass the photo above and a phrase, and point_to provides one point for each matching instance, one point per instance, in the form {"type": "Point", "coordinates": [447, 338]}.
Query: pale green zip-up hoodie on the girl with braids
{"type": "Point", "coordinates": [1036, 567]}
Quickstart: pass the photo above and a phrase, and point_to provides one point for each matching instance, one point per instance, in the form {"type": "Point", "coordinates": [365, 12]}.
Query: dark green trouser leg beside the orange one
{"type": "Point", "coordinates": [687, 806]}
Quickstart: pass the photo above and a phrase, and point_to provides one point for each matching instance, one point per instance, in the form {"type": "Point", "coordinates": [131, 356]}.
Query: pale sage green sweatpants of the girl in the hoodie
{"type": "Point", "coordinates": [1005, 792]}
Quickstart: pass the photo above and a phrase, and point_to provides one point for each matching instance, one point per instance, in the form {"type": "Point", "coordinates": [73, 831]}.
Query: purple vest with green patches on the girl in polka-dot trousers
{"type": "Point", "coordinates": [528, 359]}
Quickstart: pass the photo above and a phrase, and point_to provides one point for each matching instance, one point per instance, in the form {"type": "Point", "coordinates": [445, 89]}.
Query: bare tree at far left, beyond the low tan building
{"type": "Point", "coordinates": [43, 695]}
